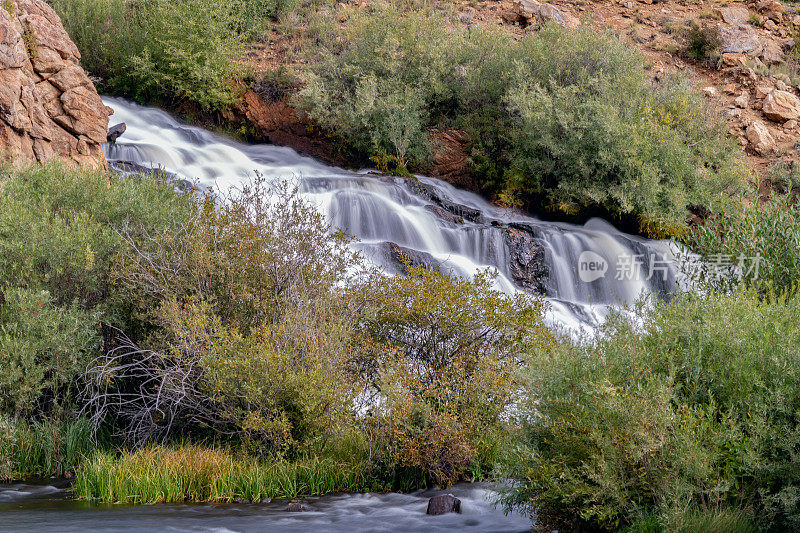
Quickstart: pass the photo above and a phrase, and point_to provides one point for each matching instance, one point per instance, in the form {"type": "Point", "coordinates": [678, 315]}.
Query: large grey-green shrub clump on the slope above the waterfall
{"type": "Point", "coordinates": [562, 119]}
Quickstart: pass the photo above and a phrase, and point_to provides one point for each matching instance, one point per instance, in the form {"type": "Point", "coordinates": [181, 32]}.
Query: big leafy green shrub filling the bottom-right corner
{"type": "Point", "coordinates": [667, 413]}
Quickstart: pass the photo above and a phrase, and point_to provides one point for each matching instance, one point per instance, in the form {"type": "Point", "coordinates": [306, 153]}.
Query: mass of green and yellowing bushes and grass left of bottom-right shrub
{"type": "Point", "coordinates": [242, 323]}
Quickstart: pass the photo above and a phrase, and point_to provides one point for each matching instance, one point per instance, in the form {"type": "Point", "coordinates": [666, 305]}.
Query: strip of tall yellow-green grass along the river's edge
{"type": "Point", "coordinates": [191, 473]}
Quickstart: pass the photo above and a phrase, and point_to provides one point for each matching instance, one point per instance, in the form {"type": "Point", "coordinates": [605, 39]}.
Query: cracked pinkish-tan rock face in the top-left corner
{"type": "Point", "coordinates": [48, 106]}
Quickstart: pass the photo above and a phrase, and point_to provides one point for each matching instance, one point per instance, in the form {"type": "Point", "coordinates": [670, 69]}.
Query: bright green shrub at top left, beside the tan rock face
{"type": "Point", "coordinates": [165, 50]}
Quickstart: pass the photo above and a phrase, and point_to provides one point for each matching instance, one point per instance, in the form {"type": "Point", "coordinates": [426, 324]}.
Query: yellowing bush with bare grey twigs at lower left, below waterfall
{"type": "Point", "coordinates": [248, 335]}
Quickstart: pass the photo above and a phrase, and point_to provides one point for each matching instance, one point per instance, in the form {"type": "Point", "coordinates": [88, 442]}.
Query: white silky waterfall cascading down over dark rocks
{"type": "Point", "coordinates": [582, 270]}
